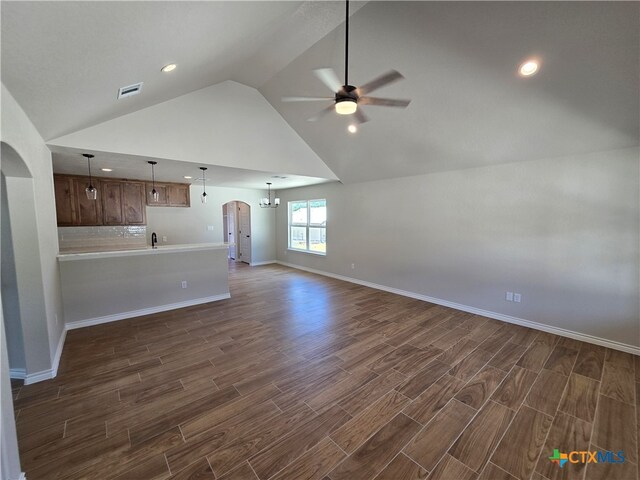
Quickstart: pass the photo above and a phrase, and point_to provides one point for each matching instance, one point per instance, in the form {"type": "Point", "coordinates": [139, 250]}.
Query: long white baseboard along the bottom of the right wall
{"type": "Point", "coordinates": [583, 337]}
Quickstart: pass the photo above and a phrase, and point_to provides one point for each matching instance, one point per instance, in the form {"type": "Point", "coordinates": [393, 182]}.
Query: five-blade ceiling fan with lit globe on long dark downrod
{"type": "Point", "coordinates": [347, 97]}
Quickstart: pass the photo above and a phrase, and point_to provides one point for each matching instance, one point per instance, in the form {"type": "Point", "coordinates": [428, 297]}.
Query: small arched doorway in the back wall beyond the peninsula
{"type": "Point", "coordinates": [236, 217]}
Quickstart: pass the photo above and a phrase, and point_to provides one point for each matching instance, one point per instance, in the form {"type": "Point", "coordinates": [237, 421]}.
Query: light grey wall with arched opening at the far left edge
{"type": "Point", "coordinates": [26, 163]}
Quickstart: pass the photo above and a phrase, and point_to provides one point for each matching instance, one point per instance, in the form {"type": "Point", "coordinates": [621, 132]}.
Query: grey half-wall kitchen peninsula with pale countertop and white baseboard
{"type": "Point", "coordinates": [99, 287]}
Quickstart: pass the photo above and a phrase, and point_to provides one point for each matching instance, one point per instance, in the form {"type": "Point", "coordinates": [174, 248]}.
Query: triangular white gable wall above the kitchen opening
{"type": "Point", "coordinates": [227, 124]}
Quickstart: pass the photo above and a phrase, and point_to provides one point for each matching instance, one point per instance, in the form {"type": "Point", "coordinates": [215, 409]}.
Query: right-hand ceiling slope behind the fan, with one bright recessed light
{"type": "Point", "coordinates": [469, 106]}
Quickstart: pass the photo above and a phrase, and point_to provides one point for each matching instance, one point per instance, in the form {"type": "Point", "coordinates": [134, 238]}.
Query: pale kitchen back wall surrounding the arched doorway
{"type": "Point", "coordinates": [190, 225]}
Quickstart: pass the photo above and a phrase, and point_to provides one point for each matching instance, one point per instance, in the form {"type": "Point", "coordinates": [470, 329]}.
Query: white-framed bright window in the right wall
{"type": "Point", "coordinates": [308, 226]}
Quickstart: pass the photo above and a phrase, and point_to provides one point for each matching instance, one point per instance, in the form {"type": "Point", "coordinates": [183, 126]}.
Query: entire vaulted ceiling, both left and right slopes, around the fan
{"type": "Point", "coordinates": [64, 61]}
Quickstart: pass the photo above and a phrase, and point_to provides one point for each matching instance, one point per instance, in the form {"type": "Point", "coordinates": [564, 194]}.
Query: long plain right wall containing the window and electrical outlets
{"type": "Point", "coordinates": [562, 232]}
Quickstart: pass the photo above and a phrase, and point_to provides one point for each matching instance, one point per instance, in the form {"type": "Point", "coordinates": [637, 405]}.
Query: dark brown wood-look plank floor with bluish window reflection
{"type": "Point", "coordinates": [299, 376]}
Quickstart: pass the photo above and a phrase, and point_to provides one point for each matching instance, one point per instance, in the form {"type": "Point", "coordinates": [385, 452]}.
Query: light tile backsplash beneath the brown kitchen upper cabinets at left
{"type": "Point", "coordinates": [85, 239]}
